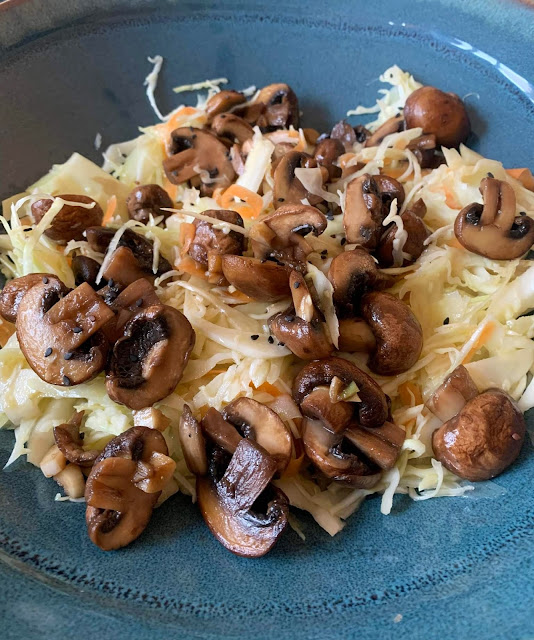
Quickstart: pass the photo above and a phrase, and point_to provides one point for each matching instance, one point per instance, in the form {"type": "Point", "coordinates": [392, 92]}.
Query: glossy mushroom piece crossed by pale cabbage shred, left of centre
{"type": "Point", "coordinates": [210, 244]}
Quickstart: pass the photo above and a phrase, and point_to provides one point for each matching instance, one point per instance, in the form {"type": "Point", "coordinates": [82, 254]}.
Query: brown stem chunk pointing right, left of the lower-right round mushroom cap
{"type": "Point", "coordinates": [381, 445]}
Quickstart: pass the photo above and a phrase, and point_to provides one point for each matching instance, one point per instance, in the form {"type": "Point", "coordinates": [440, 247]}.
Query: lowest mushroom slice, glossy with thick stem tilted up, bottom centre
{"type": "Point", "coordinates": [243, 511]}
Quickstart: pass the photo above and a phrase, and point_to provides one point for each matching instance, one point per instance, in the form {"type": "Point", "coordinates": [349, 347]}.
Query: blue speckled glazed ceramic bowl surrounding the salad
{"type": "Point", "coordinates": [451, 568]}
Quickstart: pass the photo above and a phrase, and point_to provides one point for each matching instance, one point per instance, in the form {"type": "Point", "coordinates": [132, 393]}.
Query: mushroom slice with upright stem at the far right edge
{"type": "Point", "coordinates": [494, 230]}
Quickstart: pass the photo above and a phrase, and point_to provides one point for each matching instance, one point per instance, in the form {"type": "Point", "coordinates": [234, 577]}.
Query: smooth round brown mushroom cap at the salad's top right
{"type": "Point", "coordinates": [439, 113]}
